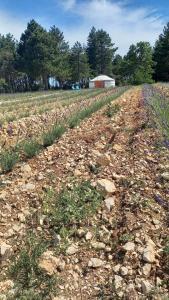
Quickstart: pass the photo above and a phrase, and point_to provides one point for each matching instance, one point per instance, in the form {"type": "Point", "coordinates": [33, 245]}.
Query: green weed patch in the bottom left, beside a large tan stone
{"type": "Point", "coordinates": [30, 281]}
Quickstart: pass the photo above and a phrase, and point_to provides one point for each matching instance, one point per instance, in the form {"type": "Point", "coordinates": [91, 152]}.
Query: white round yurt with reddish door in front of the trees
{"type": "Point", "coordinates": [102, 81]}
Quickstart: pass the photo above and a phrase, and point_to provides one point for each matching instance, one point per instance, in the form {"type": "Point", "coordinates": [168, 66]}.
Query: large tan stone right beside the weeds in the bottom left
{"type": "Point", "coordinates": [50, 264]}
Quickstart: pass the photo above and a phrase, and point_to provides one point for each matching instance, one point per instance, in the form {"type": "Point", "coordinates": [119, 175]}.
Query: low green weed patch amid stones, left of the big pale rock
{"type": "Point", "coordinates": [72, 206]}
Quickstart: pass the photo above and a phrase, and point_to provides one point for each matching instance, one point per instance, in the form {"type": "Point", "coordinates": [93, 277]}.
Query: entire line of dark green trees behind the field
{"type": "Point", "coordinates": [28, 64]}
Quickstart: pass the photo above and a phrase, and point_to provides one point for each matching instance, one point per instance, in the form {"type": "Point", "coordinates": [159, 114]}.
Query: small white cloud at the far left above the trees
{"type": "Point", "coordinates": [9, 23]}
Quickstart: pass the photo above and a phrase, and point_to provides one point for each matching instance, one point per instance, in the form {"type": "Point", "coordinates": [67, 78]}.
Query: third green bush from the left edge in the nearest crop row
{"type": "Point", "coordinates": [54, 134]}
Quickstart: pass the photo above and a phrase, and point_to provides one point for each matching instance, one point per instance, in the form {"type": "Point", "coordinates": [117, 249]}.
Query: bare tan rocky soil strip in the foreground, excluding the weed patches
{"type": "Point", "coordinates": [119, 253]}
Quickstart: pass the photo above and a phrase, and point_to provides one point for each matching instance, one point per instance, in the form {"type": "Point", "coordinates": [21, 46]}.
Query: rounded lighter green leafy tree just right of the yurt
{"type": "Point", "coordinates": [137, 67]}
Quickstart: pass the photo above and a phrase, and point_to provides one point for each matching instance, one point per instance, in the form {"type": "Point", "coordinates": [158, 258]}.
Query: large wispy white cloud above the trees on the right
{"type": "Point", "coordinates": [125, 25]}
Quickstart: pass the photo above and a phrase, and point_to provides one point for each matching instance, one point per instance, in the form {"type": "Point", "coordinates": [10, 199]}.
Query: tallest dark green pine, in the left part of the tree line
{"type": "Point", "coordinates": [34, 53]}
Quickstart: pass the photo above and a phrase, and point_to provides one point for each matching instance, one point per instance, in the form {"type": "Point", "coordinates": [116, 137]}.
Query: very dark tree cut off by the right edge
{"type": "Point", "coordinates": [161, 56]}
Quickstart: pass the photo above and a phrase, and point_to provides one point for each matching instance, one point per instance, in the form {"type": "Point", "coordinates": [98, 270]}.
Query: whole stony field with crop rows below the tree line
{"type": "Point", "coordinates": [84, 194]}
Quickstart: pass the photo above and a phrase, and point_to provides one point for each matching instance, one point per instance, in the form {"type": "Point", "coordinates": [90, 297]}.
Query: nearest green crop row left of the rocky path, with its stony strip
{"type": "Point", "coordinates": [44, 134]}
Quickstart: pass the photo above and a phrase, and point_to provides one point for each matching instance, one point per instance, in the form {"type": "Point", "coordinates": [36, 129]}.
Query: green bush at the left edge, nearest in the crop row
{"type": "Point", "coordinates": [7, 160]}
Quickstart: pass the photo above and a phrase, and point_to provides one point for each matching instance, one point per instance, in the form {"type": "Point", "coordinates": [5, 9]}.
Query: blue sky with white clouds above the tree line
{"type": "Point", "coordinates": [127, 21]}
